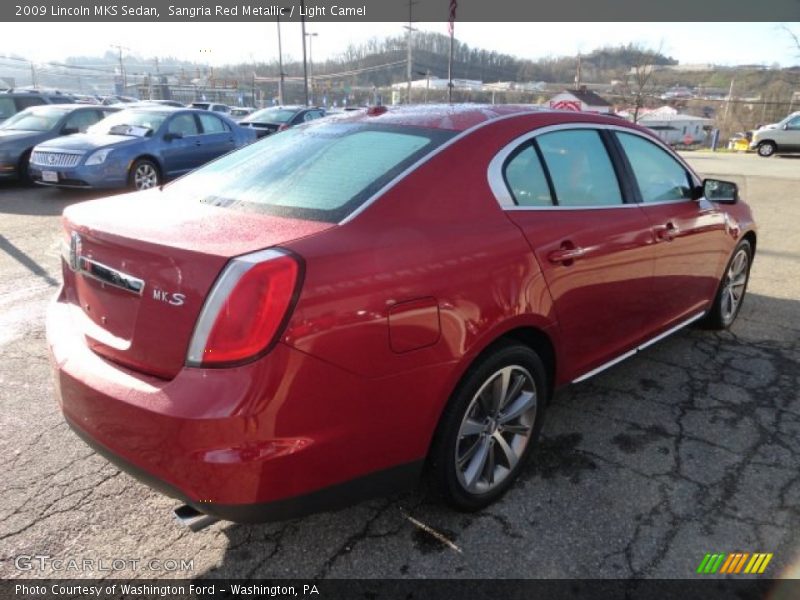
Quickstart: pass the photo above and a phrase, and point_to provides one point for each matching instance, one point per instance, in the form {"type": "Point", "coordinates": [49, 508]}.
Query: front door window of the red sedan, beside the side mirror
{"type": "Point", "coordinates": [660, 177]}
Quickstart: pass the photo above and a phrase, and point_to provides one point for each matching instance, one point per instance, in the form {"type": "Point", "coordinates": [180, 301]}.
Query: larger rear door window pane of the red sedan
{"type": "Point", "coordinates": [580, 168]}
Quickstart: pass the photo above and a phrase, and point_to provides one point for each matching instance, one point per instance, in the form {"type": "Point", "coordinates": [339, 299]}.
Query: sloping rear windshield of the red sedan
{"type": "Point", "coordinates": [321, 172]}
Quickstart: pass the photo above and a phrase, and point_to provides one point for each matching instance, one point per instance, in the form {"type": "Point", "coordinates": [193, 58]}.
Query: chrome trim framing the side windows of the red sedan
{"type": "Point", "coordinates": [502, 194]}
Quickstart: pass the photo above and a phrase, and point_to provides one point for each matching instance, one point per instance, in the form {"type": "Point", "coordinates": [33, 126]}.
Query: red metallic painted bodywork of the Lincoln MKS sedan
{"type": "Point", "coordinates": [356, 383]}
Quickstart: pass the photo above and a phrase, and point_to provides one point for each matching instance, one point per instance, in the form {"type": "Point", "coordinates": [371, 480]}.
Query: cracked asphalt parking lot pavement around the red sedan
{"type": "Point", "coordinates": [691, 447]}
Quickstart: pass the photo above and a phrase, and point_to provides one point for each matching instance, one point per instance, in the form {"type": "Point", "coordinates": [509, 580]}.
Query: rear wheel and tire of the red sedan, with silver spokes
{"type": "Point", "coordinates": [489, 427]}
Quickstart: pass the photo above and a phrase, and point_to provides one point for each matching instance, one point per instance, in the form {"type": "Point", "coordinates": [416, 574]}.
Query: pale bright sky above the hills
{"type": "Point", "coordinates": [225, 43]}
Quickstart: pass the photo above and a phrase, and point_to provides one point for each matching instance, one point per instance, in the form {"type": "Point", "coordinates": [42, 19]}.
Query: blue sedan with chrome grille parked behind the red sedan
{"type": "Point", "coordinates": [137, 147]}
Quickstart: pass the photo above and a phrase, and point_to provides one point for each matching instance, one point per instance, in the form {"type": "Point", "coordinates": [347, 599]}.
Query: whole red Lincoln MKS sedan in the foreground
{"type": "Point", "coordinates": [313, 318]}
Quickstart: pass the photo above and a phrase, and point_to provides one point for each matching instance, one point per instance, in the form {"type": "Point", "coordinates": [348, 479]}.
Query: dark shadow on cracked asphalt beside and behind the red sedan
{"type": "Point", "coordinates": [636, 467]}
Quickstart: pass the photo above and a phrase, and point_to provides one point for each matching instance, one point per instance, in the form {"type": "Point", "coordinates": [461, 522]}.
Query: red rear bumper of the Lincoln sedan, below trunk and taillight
{"type": "Point", "coordinates": [280, 437]}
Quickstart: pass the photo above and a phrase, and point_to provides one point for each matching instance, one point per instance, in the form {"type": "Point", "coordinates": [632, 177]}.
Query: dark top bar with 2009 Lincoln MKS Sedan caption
{"type": "Point", "coordinates": [397, 11]}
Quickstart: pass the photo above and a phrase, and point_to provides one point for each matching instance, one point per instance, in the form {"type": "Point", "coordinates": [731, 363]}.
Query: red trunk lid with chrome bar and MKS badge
{"type": "Point", "coordinates": [146, 265]}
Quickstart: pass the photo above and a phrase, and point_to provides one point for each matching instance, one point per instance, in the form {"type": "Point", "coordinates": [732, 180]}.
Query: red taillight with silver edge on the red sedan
{"type": "Point", "coordinates": [246, 309]}
